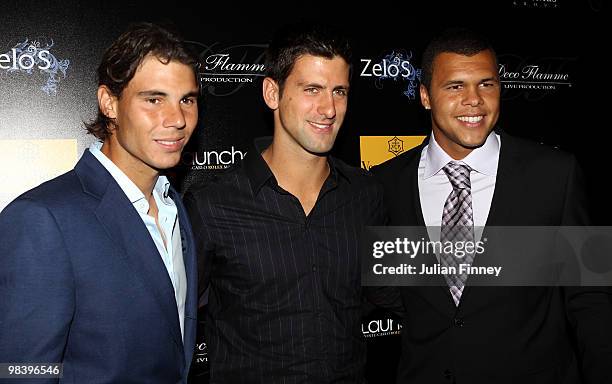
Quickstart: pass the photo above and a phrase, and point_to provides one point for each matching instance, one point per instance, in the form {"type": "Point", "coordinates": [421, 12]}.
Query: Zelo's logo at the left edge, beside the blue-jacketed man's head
{"type": "Point", "coordinates": [28, 56]}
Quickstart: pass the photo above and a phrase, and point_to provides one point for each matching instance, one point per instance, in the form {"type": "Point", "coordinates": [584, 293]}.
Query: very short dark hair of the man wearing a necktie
{"type": "Point", "coordinates": [461, 41]}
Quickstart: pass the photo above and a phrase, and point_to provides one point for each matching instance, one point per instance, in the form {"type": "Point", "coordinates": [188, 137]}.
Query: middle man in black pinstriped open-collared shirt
{"type": "Point", "coordinates": [278, 234]}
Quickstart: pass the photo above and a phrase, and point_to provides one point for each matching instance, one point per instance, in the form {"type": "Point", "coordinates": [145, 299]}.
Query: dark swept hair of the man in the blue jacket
{"type": "Point", "coordinates": [124, 56]}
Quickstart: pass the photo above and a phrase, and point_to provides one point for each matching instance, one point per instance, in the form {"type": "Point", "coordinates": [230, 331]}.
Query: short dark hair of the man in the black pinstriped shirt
{"type": "Point", "coordinates": [295, 40]}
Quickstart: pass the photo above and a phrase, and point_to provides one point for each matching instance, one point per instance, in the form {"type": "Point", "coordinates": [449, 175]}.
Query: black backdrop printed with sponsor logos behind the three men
{"type": "Point", "coordinates": [552, 72]}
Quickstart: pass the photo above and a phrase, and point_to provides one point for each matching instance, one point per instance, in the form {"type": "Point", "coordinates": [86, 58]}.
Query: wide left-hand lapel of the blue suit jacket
{"type": "Point", "coordinates": [131, 238]}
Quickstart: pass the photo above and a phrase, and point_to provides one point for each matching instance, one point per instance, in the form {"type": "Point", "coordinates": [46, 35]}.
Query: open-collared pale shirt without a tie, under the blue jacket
{"type": "Point", "coordinates": [172, 253]}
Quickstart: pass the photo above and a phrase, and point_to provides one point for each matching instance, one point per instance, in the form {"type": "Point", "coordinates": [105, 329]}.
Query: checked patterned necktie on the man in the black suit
{"type": "Point", "coordinates": [457, 224]}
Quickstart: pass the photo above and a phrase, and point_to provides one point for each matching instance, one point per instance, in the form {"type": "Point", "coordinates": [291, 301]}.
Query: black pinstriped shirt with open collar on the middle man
{"type": "Point", "coordinates": [284, 302]}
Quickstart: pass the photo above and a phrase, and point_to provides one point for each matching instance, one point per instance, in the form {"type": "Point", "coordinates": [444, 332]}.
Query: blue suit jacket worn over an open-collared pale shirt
{"type": "Point", "coordinates": [82, 283]}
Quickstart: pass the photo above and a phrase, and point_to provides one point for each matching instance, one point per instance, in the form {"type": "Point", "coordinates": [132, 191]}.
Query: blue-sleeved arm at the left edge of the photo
{"type": "Point", "coordinates": [36, 286]}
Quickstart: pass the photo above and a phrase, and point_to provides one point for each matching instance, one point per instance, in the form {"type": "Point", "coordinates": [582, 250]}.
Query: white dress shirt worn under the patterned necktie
{"type": "Point", "coordinates": [434, 186]}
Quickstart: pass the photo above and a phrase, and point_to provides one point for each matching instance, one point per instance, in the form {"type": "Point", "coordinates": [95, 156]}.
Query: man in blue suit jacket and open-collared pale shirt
{"type": "Point", "coordinates": [98, 270]}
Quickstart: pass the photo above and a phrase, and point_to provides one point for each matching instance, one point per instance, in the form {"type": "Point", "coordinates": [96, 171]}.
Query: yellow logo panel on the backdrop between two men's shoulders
{"type": "Point", "coordinates": [375, 150]}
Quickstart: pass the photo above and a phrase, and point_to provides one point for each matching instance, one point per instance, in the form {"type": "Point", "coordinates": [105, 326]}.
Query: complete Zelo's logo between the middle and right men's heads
{"type": "Point", "coordinates": [394, 66]}
